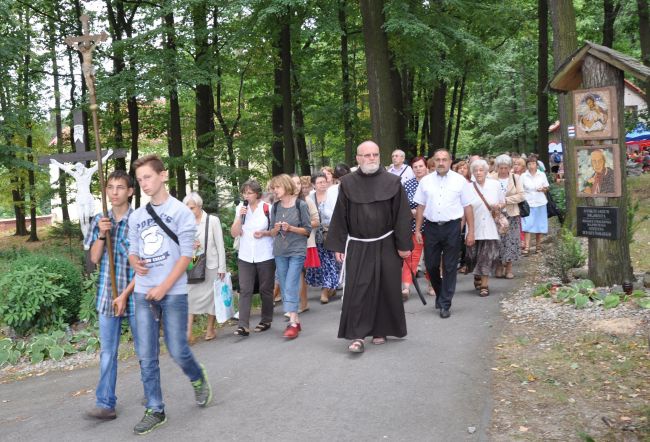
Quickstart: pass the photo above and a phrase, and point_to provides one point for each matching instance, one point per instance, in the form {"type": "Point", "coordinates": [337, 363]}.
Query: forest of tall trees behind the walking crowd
{"type": "Point", "coordinates": [229, 89]}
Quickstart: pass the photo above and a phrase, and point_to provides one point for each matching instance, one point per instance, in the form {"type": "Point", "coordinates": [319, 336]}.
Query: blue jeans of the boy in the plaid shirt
{"type": "Point", "coordinates": [110, 329]}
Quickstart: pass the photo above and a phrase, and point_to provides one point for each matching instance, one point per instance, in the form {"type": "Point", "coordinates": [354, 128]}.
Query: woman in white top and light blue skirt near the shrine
{"type": "Point", "coordinates": [535, 186]}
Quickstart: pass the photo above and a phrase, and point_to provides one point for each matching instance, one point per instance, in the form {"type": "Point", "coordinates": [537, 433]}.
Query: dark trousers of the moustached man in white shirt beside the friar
{"type": "Point", "coordinates": [442, 242]}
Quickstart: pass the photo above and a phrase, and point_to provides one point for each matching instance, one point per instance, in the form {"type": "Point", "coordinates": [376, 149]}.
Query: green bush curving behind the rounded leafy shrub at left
{"type": "Point", "coordinates": [70, 280]}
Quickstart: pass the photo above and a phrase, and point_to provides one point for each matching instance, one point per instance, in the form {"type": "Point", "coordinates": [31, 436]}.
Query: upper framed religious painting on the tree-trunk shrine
{"type": "Point", "coordinates": [596, 113]}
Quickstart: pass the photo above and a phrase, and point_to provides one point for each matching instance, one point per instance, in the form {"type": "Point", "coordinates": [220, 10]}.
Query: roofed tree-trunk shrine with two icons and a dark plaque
{"type": "Point", "coordinates": [602, 202]}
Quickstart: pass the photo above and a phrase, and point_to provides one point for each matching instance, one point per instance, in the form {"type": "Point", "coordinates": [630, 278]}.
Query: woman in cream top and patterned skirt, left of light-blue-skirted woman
{"type": "Point", "coordinates": [513, 191]}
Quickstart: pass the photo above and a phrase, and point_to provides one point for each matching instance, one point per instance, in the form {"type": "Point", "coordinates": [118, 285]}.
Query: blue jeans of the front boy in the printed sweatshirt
{"type": "Point", "coordinates": [171, 311]}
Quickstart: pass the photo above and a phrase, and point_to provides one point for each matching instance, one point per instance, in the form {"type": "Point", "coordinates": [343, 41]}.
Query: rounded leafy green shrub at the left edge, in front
{"type": "Point", "coordinates": [30, 299]}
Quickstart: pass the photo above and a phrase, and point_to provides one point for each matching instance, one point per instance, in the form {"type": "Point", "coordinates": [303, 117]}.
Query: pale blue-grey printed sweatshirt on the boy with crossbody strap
{"type": "Point", "coordinates": [150, 242]}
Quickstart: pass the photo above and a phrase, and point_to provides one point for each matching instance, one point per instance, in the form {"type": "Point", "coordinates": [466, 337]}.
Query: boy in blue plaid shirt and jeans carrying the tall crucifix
{"type": "Point", "coordinates": [111, 312]}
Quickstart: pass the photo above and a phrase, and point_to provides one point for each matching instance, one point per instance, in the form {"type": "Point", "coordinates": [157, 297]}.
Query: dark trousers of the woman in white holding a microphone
{"type": "Point", "coordinates": [265, 273]}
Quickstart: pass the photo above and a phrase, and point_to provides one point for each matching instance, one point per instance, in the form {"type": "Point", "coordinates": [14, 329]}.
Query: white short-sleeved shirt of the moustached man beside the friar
{"type": "Point", "coordinates": [444, 197]}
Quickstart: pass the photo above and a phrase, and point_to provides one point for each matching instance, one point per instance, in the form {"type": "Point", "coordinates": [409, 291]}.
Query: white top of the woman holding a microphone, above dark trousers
{"type": "Point", "coordinates": [253, 249]}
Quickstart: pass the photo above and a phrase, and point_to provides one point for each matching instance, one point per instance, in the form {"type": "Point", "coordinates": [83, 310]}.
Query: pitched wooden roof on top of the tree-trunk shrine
{"type": "Point", "coordinates": [569, 75]}
